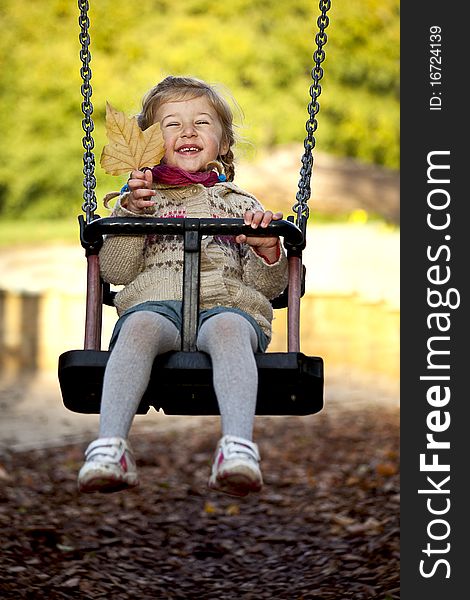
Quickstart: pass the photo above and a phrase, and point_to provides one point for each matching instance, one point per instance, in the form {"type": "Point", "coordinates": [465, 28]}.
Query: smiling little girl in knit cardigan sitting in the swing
{"type": "Point", "coordinates": [238, 278]}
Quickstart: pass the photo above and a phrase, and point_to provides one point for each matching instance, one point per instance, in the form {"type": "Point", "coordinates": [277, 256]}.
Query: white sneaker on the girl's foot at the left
{"type": "Point", "coordinates": [109, 467]}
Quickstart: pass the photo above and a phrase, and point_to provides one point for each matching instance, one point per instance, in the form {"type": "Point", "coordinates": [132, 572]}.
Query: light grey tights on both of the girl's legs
{"type": "Point", "coordinates": [228, 338]}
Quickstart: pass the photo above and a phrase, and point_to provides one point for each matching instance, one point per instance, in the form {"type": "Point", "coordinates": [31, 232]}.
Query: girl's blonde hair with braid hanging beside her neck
{"type": "Point", "coordinates": [183, 88]}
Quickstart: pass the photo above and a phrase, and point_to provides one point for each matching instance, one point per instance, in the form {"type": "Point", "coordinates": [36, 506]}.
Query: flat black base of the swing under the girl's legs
{"type": "Point", "coordinates": [181, 383]}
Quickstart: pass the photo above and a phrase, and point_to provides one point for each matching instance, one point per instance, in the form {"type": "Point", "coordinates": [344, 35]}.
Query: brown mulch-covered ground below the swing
{"type": "Point", "coordinates": [325, 526]}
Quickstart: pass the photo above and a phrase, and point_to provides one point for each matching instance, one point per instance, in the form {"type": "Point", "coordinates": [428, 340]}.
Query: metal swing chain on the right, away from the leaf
{"type": "Point", "coordinates": [301, 208]}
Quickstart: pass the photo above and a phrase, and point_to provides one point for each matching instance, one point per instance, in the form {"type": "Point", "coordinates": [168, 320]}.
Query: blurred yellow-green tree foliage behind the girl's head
{"type": "Point", "coordinates": [260, 50]}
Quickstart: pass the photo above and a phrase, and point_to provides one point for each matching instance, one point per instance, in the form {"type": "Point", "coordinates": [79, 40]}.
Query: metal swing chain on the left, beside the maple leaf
{"type": "Point", "coordinates": [89, 181]}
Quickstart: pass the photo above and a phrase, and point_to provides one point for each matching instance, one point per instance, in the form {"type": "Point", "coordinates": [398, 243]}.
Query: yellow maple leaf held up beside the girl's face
{"type": "Point", "coordinates": [129, 147]}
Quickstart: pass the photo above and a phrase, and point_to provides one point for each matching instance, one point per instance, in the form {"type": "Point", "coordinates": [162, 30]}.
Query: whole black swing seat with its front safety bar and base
{"type": "Point", "coordinates": [289, 383]}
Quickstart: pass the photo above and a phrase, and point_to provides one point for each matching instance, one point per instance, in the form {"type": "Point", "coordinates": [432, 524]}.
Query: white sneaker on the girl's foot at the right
{"type": "Point", "coordinates": [235, 470]}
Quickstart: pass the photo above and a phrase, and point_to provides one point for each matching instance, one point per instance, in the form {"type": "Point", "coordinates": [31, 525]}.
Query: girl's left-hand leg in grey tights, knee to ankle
{"type": "Point", "coordinates": [143, 335]}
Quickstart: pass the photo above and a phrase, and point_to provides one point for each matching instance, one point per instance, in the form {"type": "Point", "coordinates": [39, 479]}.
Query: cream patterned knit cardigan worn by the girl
{"type": "Point", "coordinates": [151, 267]}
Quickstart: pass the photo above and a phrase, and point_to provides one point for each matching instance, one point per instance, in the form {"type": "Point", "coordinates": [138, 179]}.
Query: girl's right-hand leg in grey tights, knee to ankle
{"type": "Point", "coordinates": [231, 340]}
